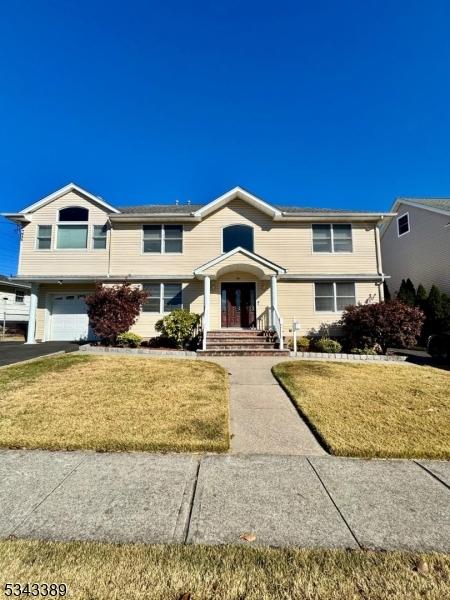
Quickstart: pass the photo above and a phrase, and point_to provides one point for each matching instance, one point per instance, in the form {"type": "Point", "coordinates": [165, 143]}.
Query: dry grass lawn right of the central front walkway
{"type": "Point", "coordinates": [370, 410]}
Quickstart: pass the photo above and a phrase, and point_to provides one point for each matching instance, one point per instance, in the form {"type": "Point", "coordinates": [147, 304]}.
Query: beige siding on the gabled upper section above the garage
{"type": "Point", "coordinates": [62, 262]}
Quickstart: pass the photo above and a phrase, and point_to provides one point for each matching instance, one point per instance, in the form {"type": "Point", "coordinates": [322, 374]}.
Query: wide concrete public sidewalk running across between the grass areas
{"type": "Point", "coordinates": [284, 500]}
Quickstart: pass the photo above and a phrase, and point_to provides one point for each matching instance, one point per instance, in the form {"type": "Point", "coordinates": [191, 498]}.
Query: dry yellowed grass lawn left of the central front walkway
{"type": "Point", "coordinates": [86, 402]}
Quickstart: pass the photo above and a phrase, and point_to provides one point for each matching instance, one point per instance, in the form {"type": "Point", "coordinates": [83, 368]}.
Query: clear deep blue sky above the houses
{"type": "Point", "coordinates": [336, 104]}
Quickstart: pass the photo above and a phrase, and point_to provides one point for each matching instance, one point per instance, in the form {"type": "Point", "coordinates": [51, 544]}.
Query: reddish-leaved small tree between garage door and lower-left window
{"type": "Point", "coordinates": [113, 310]}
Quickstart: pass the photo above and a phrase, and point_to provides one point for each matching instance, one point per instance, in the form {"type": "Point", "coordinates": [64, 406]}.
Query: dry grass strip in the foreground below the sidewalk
{"type": "Point", "coordinates": [97, 571]}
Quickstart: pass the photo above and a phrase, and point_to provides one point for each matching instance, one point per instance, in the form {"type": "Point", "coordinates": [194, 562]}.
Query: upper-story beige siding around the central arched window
{"type": "Point", "coordinates": [286, 244]}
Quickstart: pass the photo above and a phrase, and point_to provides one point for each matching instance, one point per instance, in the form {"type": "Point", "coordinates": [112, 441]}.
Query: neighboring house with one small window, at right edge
{"type": "Point", "coordinates": [416, 244]}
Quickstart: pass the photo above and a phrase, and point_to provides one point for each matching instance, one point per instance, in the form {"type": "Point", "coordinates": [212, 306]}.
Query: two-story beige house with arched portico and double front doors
{"type": "Point", "coordinates": [238, 260]}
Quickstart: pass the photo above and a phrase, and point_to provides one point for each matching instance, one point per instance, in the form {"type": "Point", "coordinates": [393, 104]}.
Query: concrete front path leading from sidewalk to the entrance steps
{"type": "Point", "coordinates": [263, 419]}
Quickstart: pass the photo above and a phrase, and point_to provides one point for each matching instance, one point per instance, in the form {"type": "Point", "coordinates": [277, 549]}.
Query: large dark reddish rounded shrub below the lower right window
{"type": "Point", "coordinates": [387, 323]}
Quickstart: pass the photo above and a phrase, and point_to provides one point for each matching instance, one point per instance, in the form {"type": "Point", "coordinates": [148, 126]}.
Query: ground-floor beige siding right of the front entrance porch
{"type": "Point", "coordinates": [296, 301]}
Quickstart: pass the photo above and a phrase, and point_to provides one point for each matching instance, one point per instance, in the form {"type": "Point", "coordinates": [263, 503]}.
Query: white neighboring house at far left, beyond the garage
{"type": "Point", "coordinates": [14, 303]}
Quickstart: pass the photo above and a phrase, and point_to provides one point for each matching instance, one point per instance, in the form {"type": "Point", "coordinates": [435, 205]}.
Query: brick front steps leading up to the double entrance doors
{"type": "Point", "coordinates": [241, 342]}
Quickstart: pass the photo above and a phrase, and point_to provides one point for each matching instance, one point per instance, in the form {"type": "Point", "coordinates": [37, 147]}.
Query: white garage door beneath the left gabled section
{"type": "Point", "coordinates": [69, 318]}
